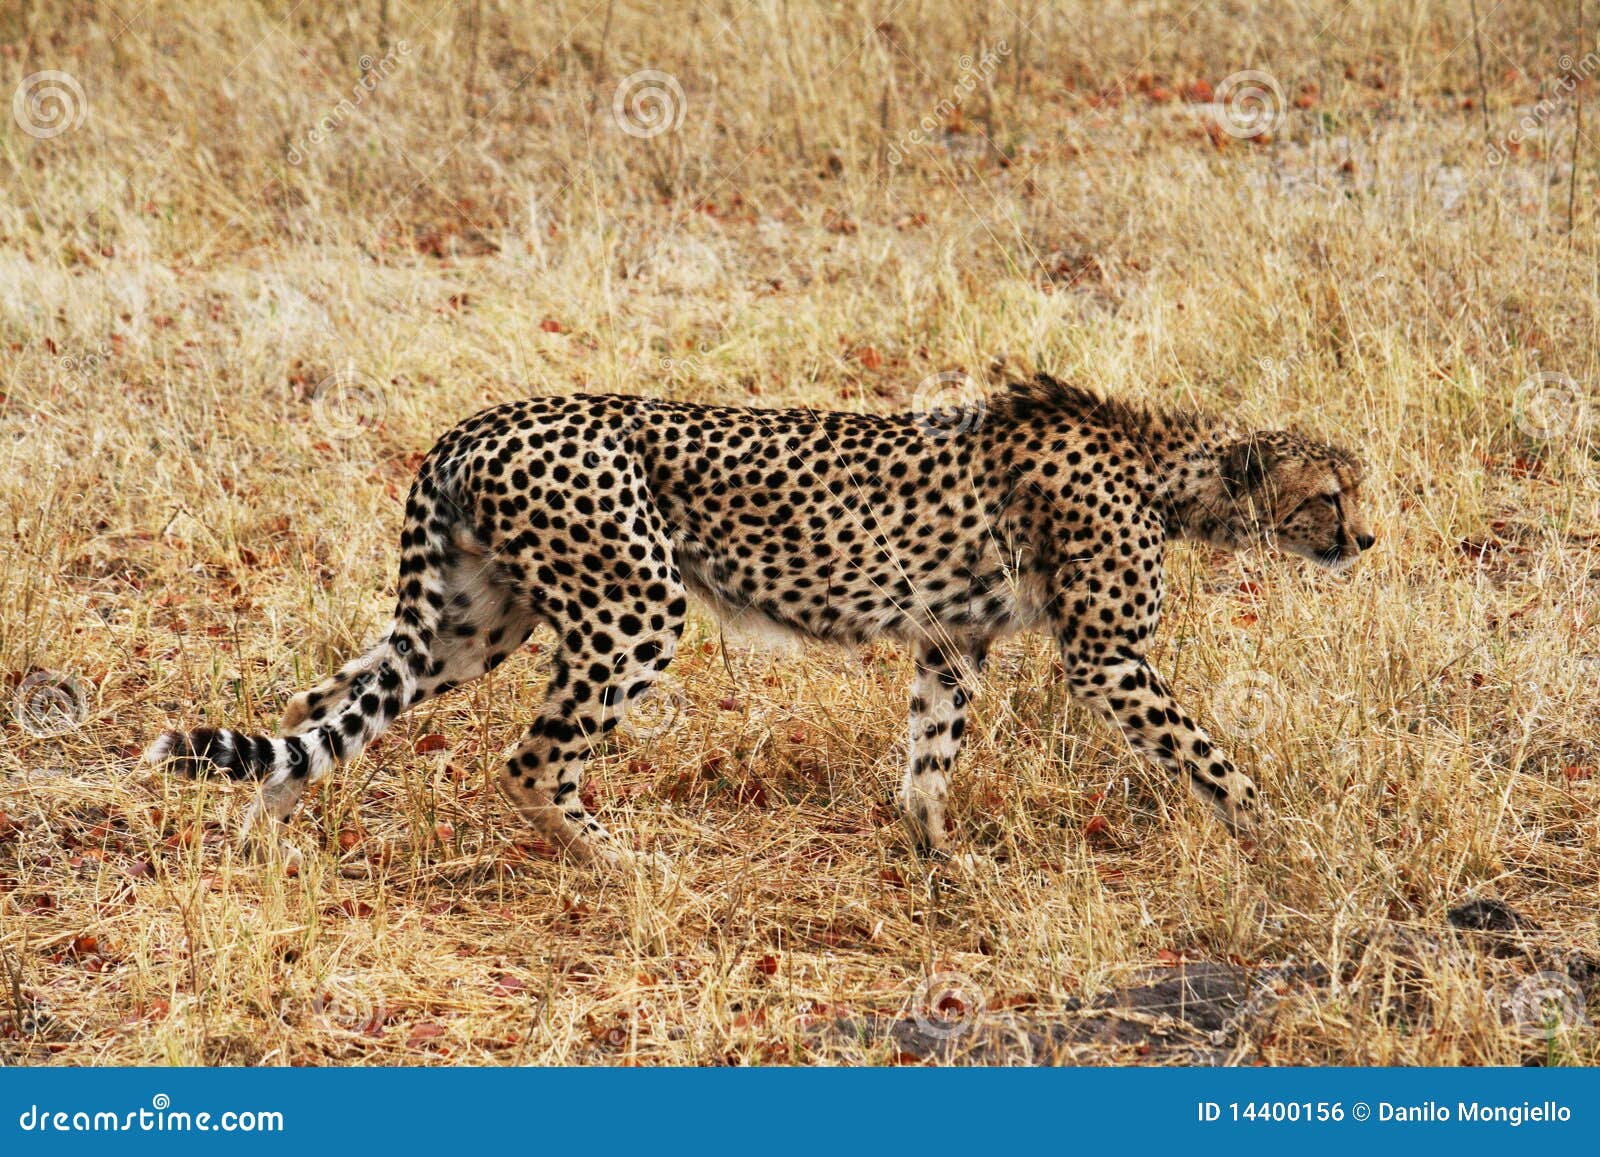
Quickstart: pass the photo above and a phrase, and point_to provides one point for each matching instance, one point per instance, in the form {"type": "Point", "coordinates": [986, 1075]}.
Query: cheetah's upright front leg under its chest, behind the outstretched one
{"type": "Point", "coordinates": [940, 695]}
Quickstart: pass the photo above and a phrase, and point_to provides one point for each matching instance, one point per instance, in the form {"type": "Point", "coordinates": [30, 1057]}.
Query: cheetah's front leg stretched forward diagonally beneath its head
{"type": "Point", "coordinates": [1129, 689]}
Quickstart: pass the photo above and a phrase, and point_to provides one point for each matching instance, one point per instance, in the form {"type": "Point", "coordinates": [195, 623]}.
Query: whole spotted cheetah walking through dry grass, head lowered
{"type": "Point", "coordinates": [1041, 506]}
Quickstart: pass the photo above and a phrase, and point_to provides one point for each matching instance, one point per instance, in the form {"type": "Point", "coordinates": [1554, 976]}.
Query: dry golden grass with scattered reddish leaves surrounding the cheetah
{"type": "Point", "coordinates": [185, 542]}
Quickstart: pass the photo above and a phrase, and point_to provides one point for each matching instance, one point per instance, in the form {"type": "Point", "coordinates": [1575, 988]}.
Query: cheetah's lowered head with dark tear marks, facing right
{"type": "Point", "coordinates": [1297, 494]}
